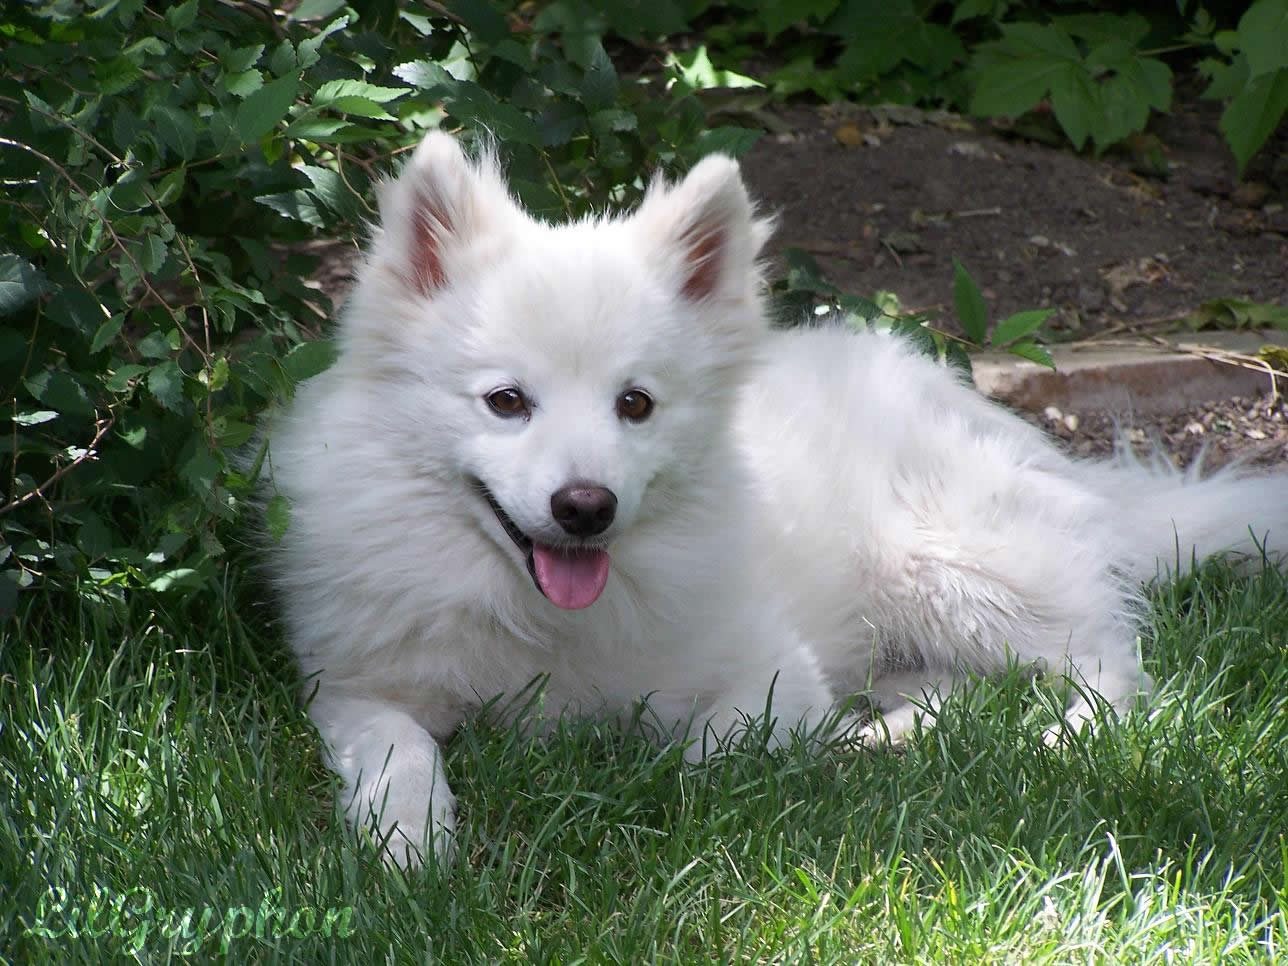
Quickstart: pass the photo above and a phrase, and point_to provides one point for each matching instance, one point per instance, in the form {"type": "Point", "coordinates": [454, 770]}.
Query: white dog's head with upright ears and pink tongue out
{"type": "Point", "coordinates": [573, 379]}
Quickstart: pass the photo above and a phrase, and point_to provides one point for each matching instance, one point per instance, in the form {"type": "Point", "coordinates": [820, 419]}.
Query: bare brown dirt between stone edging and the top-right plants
{"type": "Point", "coordinates": [885, 199]}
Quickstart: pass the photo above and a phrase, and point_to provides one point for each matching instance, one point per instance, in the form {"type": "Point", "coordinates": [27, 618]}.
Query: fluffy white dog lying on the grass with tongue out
{"type": "Point", "coordinates": [579, 451]}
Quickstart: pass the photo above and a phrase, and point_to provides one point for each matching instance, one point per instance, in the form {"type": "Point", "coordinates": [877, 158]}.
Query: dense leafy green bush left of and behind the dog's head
{"type": "Point", "coordinates": [164, 173]}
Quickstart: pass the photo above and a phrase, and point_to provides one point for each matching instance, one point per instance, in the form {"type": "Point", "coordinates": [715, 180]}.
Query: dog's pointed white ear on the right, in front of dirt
{"type": "Point", "coordinates": [706, 230]}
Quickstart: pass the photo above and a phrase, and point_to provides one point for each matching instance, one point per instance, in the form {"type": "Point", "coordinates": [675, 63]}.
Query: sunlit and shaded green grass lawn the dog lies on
{"type": "Point", "coordinates": [156, 764]}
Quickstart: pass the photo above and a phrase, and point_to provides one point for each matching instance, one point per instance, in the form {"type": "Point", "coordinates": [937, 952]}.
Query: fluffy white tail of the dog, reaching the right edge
{"type": "Point", "coordinates": [1170, 520]}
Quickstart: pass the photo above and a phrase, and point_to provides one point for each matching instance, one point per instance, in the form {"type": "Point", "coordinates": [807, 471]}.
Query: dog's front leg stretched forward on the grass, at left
{"type": "Point", "coordinates": [393, 775]}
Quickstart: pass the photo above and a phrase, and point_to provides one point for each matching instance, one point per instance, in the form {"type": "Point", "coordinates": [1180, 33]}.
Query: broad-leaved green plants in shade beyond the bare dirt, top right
{"type": "Point", "coordinates": [1099, 73]}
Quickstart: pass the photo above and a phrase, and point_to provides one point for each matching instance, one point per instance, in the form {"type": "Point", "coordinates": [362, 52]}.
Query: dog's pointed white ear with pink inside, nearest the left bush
{"type": "Point", "coordinates": [440, 204]}
